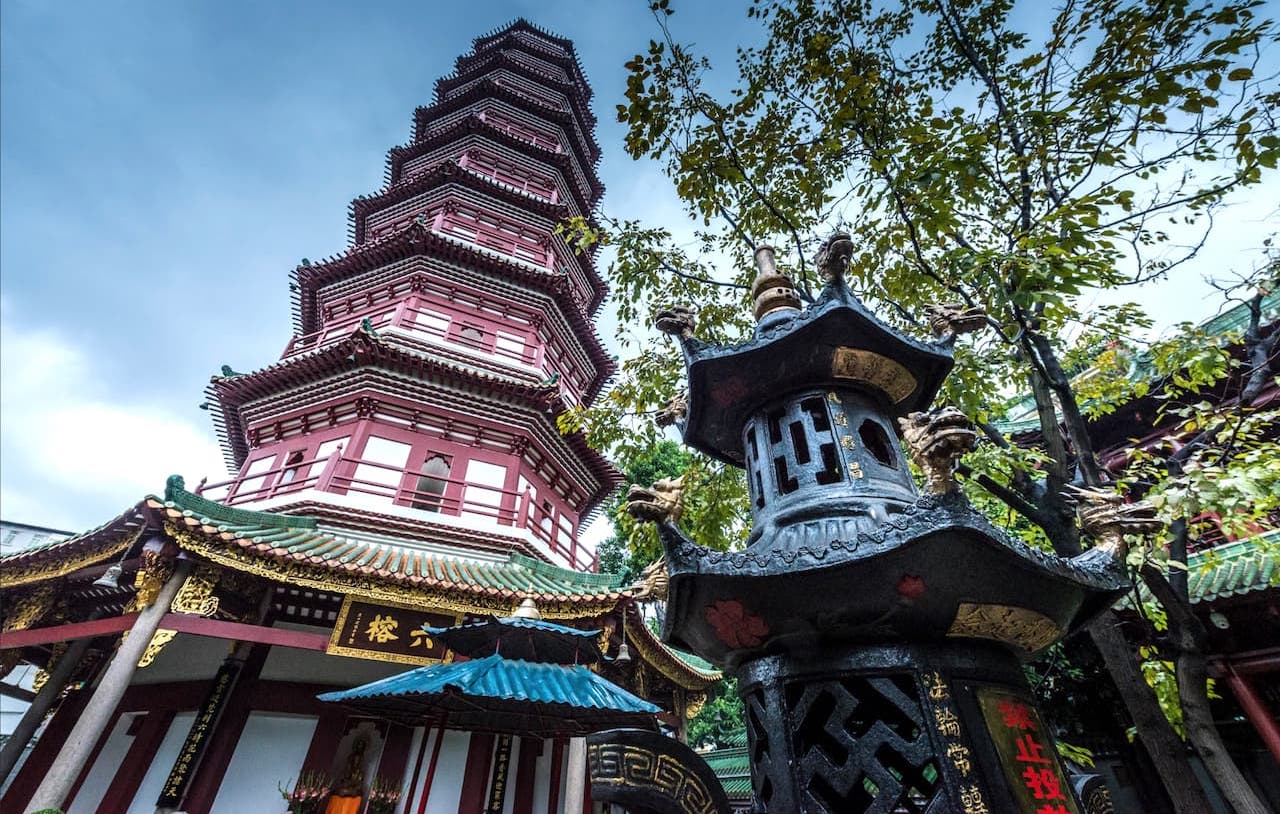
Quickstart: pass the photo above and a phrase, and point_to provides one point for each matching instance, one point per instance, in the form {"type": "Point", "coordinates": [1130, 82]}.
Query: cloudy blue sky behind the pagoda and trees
{"type": "Point", "coordinates": [164, 166]}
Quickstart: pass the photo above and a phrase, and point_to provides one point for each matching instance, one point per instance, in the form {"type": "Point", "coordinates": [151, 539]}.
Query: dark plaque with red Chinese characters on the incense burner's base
{"type": "Point", "coordinates": [1027, 754]}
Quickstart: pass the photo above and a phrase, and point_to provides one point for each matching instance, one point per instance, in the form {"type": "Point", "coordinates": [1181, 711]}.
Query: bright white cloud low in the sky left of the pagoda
{"type": "Point", "coordinates": [74, 456]}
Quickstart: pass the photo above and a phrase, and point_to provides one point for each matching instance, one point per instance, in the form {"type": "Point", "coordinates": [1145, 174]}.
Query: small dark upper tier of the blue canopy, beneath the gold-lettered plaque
{"type": "Point", "coordinates": [518, 638]}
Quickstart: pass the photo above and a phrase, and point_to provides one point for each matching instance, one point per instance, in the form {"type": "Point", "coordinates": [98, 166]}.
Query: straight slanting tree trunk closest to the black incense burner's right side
{"type": "Point", "coordinates": [1167, 751]}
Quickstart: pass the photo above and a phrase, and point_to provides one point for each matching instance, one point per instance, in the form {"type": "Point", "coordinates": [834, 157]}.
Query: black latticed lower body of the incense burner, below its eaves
{"type": "Point", "coordinates": [885, 730]}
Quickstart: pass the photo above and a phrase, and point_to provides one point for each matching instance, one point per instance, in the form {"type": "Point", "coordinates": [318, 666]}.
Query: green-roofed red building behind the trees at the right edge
{"type": "Point", "coordinates": [1233, 584]}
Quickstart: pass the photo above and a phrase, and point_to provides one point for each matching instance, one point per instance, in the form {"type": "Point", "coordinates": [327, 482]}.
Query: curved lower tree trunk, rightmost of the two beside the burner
{"type": "Point", "coordinates": [1186, 641]}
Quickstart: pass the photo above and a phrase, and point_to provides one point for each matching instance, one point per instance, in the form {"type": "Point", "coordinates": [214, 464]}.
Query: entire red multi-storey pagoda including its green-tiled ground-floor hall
{"type": "Point", "coordinates": [399, 467]}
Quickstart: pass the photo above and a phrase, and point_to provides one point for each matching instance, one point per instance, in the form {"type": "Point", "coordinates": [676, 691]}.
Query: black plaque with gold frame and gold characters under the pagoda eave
{"type": "Point", "coordinates": [386, 632]}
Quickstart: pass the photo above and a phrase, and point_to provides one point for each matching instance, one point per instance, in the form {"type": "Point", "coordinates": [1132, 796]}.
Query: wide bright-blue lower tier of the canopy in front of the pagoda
{"type": "Point", "coordinates": [495, 694]}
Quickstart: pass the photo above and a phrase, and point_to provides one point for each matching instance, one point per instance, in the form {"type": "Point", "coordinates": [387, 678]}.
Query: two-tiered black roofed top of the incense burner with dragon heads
{"type": "Point", "coordinates": [843, 548]}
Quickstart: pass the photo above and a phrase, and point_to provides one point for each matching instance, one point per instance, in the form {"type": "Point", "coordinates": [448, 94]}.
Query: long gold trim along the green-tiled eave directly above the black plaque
{"type": "Point", "coordinates": [330, 579]}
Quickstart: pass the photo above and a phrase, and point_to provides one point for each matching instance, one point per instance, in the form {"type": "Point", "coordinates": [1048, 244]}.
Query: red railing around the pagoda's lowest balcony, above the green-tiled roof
{"type": "Point", "coordinates": [395, 486]}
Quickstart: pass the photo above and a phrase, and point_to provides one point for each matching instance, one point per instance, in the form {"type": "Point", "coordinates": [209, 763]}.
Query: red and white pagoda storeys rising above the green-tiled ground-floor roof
{"type": "Point", "coordinates": [431, 360]}
